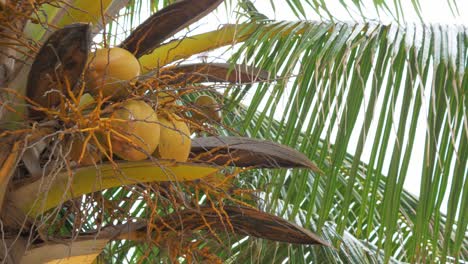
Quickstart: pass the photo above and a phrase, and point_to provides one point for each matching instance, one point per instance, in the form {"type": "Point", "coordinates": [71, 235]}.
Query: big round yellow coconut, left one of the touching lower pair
{"type": "Point", "coordinates": [135, 132]}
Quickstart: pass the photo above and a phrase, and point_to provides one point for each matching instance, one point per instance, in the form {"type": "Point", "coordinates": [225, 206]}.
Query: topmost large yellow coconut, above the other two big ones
{"type": "Point", "coordinates": [109, 70]}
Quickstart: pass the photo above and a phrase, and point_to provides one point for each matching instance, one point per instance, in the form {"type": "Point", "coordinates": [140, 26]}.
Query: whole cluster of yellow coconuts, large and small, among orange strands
{"type": "Point", "coordinates": [135, 129]}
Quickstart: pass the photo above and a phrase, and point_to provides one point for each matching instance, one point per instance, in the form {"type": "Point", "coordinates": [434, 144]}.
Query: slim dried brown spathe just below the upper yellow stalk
{"type": "Point", "coordinates": [218, 72]}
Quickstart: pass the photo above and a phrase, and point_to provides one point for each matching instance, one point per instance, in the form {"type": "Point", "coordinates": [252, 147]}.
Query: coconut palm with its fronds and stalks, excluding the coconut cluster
{"type": "Point", "coordinates": [361, 99]}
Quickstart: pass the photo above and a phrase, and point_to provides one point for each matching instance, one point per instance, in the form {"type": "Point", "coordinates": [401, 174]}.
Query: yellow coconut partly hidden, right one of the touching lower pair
{"type": "Point", "coordinates": [175, 142]}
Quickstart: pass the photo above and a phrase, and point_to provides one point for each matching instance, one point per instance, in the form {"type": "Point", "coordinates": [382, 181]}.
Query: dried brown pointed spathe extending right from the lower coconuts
{"type": "Point", "coordinates": [246, 152]}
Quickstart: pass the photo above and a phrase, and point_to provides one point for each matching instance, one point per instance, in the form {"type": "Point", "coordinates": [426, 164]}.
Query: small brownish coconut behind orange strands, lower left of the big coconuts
{"type": "Point", "coordinates": [91, 155]}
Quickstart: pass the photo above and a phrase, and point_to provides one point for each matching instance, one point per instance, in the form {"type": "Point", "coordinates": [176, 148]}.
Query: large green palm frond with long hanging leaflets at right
{"type": "Point", "coordinates": [375, 86]}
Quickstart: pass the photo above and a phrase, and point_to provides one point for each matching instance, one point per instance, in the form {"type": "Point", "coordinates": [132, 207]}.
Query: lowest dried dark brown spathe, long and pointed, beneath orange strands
{"type": "Point", "coordinates": [234, 219]}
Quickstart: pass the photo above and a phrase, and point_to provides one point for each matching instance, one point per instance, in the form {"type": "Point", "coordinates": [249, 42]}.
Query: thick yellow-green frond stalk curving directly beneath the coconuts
{"type": "Point", "coordinates": [36, 197]}
